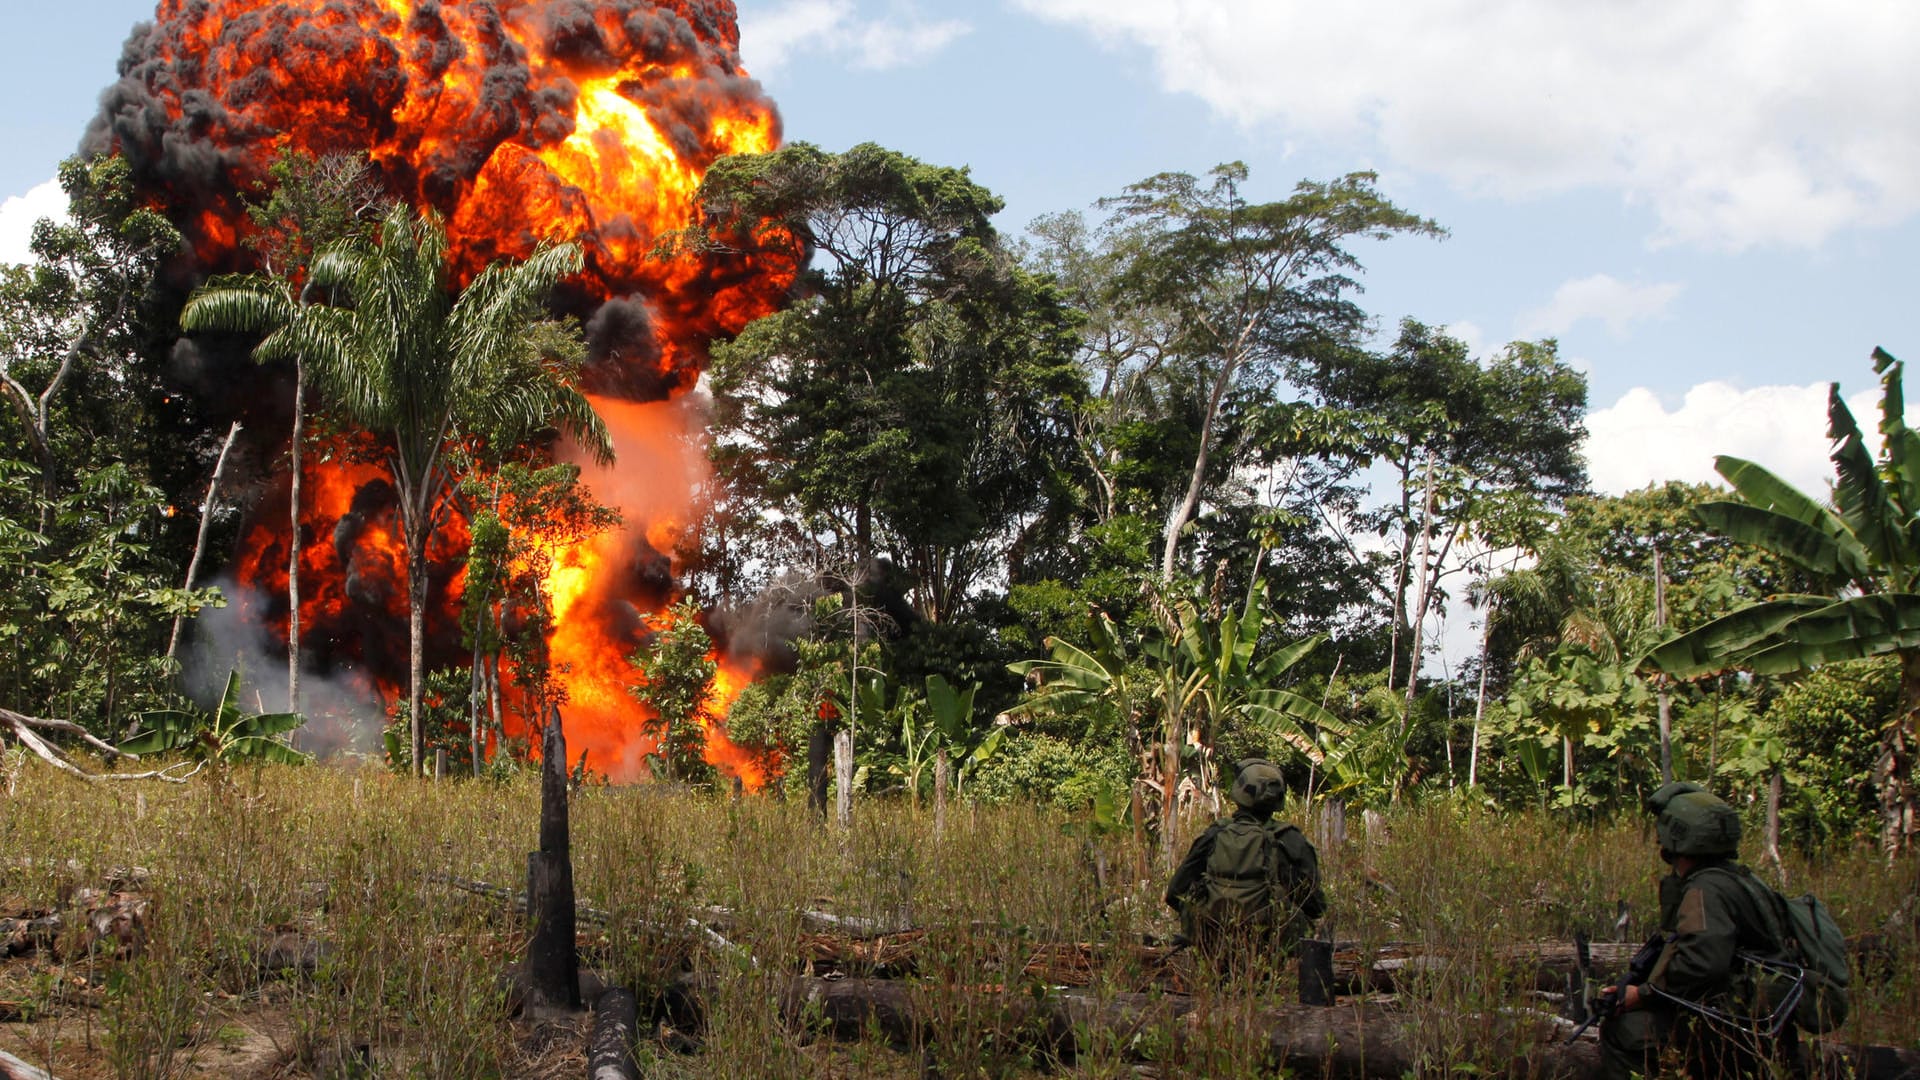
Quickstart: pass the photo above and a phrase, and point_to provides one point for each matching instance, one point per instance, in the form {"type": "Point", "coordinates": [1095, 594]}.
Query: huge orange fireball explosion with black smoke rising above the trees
{"type": "Point", "coordinates": [519, 122]}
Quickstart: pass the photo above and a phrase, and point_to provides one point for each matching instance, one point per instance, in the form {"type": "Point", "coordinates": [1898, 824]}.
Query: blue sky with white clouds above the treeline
{"type": "Point", "coordinates": [1712, 205]}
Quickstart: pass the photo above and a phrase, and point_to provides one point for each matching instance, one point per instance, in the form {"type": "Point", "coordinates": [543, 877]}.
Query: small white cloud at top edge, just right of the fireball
{"type": "Point", "coordinates": [775, 36]}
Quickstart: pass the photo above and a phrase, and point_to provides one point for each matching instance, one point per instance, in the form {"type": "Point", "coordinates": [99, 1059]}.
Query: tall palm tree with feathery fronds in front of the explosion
{"type": "Point", "coordinates": [423, 364]}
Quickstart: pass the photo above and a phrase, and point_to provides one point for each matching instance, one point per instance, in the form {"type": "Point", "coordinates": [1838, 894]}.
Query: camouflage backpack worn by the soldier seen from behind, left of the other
{"type": "Point", "coordinates": [1257, 875]}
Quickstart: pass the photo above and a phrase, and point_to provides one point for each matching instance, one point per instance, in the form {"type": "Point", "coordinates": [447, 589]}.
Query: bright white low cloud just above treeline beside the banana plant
{"type": "Point", "coordinates": [1639, 441]}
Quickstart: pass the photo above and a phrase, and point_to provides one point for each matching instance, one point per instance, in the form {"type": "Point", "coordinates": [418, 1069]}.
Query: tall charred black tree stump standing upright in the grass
{"type": "Point", "coordinates": [552, 956]}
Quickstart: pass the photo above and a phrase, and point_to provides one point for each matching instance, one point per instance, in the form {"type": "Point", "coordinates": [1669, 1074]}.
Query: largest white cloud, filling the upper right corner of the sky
{"type": "Point", "coordinates": [1739, 122]}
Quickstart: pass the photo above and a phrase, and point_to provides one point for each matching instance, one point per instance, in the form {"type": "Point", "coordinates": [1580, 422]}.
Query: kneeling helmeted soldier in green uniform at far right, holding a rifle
{"type": "Point", "coordinates": [1700, 996]}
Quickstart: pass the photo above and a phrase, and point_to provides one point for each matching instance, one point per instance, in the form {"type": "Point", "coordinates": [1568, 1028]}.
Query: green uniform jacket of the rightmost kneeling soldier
{"type": "Point", "coordinates": [1710, 916]}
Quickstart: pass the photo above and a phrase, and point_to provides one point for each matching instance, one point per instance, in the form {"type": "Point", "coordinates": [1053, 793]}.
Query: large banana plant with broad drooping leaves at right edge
{"type": "Point", "coordinates": [1867, 552]}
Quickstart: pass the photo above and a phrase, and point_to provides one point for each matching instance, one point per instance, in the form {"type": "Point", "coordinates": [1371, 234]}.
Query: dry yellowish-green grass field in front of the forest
{"type": "Point", "coordinates": [410, 977]}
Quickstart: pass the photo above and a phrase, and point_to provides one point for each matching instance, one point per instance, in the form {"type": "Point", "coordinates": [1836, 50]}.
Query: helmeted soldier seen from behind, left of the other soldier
{"type": "Point", "coordinates": [1249, 889]}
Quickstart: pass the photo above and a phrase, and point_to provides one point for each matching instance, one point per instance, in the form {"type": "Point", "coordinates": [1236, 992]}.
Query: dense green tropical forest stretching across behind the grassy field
{"type": "Point", "coordinates": [1078, 516]}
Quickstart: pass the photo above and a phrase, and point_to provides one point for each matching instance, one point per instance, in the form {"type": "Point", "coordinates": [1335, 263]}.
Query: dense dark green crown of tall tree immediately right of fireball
{"type": "Point", "coordinates": [915, 401]}
